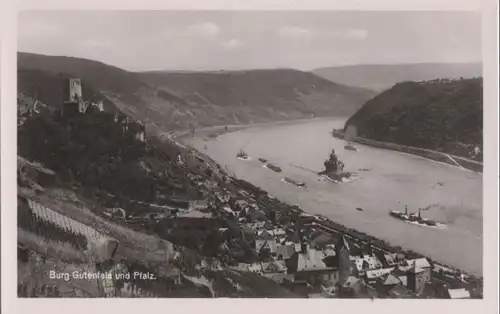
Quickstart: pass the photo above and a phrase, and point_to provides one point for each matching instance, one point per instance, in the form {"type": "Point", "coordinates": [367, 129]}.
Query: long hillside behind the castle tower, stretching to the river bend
{"type": "Point", "coordinates": [180, 100]}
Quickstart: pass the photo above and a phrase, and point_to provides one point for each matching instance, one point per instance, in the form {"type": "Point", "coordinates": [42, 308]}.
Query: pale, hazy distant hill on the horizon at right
{"type": "Point", "coordinates": [384, 76]}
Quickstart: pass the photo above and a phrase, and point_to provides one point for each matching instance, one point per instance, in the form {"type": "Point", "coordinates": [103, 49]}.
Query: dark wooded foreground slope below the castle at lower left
{"type": "Point", "coordinates": [86, 167]}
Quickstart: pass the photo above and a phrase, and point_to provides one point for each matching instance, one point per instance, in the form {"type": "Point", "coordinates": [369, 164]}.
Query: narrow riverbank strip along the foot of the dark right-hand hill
{"type": "Point", "coordinates": [425, 153]}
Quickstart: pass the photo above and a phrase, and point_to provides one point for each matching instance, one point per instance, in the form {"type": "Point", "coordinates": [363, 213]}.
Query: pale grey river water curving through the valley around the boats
{"type": "Point", "coordinates": [388, 181]}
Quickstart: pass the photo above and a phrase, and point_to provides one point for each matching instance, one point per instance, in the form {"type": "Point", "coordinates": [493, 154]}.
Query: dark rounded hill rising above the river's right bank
{"type": "Point", "coordinates": [443, 115]}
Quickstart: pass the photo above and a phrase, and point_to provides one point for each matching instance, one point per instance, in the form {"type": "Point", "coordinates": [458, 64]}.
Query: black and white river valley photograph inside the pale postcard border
{"type": "Point", "coordinates": [250, 154]}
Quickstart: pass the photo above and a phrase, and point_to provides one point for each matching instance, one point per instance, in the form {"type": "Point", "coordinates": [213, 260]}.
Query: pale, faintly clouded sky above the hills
{"type": "Point", "coordinates": [230, 40]}
